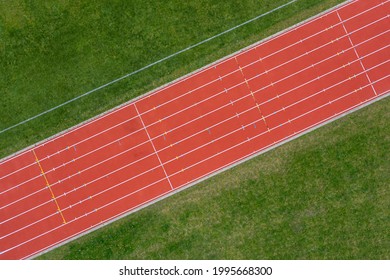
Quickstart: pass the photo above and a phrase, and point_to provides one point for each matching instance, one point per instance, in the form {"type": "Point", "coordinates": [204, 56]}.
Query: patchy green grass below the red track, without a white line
{"type": "Point", "coordinates": [325, 195]}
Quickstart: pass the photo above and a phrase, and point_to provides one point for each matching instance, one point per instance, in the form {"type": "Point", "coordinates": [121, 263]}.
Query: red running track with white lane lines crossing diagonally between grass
{"type": "Point", "coordinates": [185, 131]}
